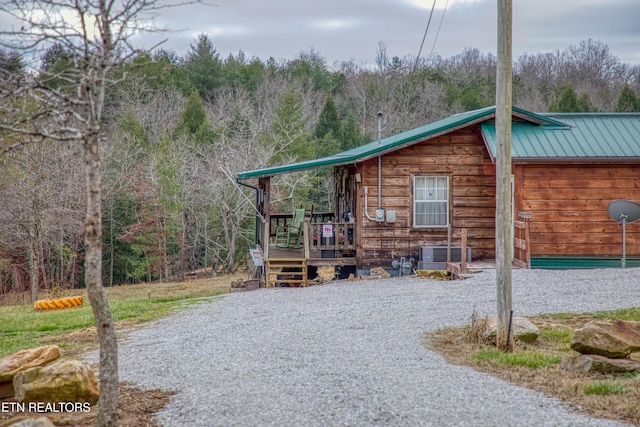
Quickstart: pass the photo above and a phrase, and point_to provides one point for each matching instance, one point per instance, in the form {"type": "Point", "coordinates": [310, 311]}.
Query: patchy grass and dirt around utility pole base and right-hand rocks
{"type": "Point", "coordinates": [460, 346]}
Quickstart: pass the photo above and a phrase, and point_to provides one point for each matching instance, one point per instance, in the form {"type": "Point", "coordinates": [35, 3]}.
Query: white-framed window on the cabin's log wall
{"type": "Point", "coordinates": [430, 201]}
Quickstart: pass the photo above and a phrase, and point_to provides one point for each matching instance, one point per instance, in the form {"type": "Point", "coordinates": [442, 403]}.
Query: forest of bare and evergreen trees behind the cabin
{"type": "Point", "coordinates": [179, 128]}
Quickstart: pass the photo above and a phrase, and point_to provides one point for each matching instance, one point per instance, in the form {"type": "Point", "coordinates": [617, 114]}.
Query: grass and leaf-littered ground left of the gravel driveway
{"type": "Point", "coordinates": [73, 330]}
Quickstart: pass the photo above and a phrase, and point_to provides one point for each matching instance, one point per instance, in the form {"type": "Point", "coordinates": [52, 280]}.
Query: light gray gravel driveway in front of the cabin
{"type": "Point", "coordinates": [351, 353]}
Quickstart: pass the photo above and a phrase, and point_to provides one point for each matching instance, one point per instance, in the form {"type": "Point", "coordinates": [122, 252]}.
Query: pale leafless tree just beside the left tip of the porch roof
{"type": "Point", "coordinates": [237, 148]}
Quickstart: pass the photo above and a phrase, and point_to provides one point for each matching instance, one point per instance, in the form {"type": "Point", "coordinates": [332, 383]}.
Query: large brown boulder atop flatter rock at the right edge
{"type": "Point", "coordinates": [609, 338]}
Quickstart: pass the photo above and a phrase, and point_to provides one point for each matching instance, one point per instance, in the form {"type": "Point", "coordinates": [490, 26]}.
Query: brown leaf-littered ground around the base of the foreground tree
{"type": "Point", "coordinates": [135, 409]}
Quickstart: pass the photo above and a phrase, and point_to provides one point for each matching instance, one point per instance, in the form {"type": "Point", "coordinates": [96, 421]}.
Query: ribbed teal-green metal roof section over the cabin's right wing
{"type": "Point", "coordinates": [584, 136]}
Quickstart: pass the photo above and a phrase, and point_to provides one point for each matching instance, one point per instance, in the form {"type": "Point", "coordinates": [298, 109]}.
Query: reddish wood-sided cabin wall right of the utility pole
{"type": "Point", "coordinates": [568, 205]}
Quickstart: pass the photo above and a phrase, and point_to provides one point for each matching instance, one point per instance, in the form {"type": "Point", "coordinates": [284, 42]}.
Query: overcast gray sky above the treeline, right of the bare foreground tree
{"type": "Point", "coordinates": [351, 29]}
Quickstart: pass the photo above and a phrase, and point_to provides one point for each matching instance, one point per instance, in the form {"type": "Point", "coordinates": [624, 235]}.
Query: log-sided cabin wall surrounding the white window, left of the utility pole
{"type": "Point", "coordinates": [462, 156]}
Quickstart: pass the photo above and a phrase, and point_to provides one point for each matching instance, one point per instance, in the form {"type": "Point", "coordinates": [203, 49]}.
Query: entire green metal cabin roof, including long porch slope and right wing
{"type": "Point", "coordinates": [535, 135]}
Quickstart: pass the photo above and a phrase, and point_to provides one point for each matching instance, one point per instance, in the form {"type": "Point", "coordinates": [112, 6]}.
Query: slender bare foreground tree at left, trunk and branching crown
{"type": "Point", "coordinates": [97, 35]}
